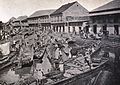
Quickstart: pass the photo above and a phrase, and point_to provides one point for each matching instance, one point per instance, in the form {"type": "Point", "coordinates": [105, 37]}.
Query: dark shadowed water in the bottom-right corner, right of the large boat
{"type": "Point", "coordinates": [114, 67]}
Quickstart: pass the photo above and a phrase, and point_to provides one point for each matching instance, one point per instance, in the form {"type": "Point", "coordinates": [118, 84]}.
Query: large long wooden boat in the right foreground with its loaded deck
{"type": "Point", "coordinates": [74, 75]}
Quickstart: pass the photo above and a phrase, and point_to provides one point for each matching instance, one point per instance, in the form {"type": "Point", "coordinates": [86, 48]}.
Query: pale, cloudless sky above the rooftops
{"type": "Point", "coordinates": [16, 8]}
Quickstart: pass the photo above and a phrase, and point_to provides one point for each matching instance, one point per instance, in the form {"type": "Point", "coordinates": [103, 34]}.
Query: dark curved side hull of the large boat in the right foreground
{"type": "Point", "coordinates": [81, 79]}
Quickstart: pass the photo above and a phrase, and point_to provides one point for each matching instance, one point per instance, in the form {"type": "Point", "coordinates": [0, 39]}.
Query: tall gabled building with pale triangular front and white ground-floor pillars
{"type": "Point", "coordinates": [69, 18]}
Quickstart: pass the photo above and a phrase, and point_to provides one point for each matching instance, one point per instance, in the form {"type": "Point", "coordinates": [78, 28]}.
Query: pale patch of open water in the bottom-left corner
{"type": "Point", "coordinates": [11, 76]}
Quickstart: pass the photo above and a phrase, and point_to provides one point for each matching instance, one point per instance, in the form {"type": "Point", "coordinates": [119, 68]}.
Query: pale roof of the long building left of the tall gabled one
{"type": "Point", "coordinates": [41, 13]}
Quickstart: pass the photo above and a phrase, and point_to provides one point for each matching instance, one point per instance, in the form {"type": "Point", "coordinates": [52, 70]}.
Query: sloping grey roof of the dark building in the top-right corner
{"type": "Point", "coordinates": [115, 4]}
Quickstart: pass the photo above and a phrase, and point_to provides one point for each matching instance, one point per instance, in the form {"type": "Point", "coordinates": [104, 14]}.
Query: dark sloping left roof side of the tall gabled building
{"type": "Point", "coordinates": [63, 8]}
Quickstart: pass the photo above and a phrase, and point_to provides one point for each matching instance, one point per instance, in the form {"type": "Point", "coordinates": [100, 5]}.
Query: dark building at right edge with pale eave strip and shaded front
{"type": "Point", "coordinates": [106, 18]}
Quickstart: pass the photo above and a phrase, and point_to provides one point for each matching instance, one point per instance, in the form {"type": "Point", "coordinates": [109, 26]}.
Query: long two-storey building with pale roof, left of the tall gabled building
{"type": "Point", "coordinates": [40, 19]}
